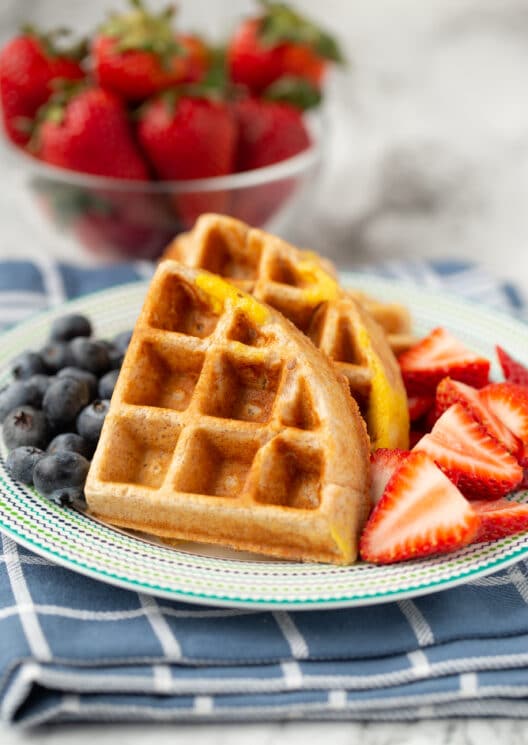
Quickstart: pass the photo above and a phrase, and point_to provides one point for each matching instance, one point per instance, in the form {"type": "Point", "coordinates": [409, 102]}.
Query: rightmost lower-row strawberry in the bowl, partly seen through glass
{"type": "Point", "coordinates": [268, 133]}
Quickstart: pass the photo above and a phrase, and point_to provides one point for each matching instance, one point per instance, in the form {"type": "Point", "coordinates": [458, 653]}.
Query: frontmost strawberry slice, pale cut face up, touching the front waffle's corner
{"type": "Point", "coordinates": [420, 513]}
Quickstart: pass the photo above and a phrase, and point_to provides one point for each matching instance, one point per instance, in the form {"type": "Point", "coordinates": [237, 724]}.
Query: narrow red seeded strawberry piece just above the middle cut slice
{"type": "Point", "coordinates": [450, 392]}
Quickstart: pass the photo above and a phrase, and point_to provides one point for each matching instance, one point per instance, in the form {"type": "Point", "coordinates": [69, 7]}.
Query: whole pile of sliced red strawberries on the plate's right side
{"type": "Point", "coordinates": [450, 490]}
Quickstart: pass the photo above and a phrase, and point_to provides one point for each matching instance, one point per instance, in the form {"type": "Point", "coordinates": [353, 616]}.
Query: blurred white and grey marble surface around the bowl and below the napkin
{"type": "Point", "coordinates": [428, 158]}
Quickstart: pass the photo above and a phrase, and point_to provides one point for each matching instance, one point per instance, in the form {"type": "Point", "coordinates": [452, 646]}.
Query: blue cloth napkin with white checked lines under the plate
{"type": "Point", "coordinates": [73, 649]}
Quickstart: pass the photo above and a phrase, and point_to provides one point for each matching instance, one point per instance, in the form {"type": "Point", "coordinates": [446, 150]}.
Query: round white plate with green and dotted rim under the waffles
{"type": "Point", "coordinates": [206, 575]}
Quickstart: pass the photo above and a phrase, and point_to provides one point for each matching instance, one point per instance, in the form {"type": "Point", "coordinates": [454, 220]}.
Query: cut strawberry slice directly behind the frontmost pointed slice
{"type": "Point", "coordinates": [479, 465]}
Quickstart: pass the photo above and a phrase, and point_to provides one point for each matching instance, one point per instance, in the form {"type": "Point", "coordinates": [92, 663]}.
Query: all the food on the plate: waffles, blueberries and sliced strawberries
{"type": "Point", "coordinates": [226, 416]}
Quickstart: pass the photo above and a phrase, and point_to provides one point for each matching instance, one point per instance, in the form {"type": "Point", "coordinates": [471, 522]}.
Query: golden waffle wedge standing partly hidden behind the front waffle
{"type": "Point", "coordinates": [303, 287]}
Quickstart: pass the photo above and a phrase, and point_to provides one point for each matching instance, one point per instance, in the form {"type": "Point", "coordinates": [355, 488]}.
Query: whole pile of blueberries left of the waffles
{"type": "Point", "coordinates": [53, 412]}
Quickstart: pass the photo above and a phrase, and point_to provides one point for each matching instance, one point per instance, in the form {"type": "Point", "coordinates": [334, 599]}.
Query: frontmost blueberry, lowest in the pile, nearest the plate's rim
{"type": "Point", "coordinates": [61, 476]}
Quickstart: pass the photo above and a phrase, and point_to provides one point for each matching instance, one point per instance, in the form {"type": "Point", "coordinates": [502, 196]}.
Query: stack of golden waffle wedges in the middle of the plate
{"type": "Point", "coordinates": [232, 420]}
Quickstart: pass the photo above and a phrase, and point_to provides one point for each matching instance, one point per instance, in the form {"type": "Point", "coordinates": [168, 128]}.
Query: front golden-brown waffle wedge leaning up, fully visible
{"type": "Point", "coordinates": [228, 426]}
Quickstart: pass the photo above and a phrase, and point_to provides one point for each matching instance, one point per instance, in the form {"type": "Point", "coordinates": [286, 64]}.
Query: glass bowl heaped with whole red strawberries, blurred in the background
{"type": "Point", "coordinates": [127, 137]}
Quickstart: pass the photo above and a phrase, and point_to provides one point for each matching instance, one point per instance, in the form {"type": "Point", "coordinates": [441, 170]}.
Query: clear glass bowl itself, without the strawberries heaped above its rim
{"type": "Point", "coordinates": [116, 218]}
